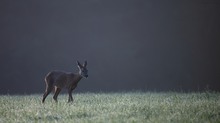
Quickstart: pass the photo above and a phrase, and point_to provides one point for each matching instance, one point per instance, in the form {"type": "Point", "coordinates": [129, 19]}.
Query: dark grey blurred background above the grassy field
{"type": "Point", "coordinates": [149, 45]}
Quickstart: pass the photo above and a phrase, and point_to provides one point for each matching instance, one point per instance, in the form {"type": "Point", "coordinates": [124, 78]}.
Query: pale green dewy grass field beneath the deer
{"type": "Point", "coordinates": [129, 107]}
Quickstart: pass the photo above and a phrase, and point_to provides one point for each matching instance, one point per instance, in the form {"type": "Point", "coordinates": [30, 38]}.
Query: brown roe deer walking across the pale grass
{"type": "Point", "coordinates": [60, 80]}
